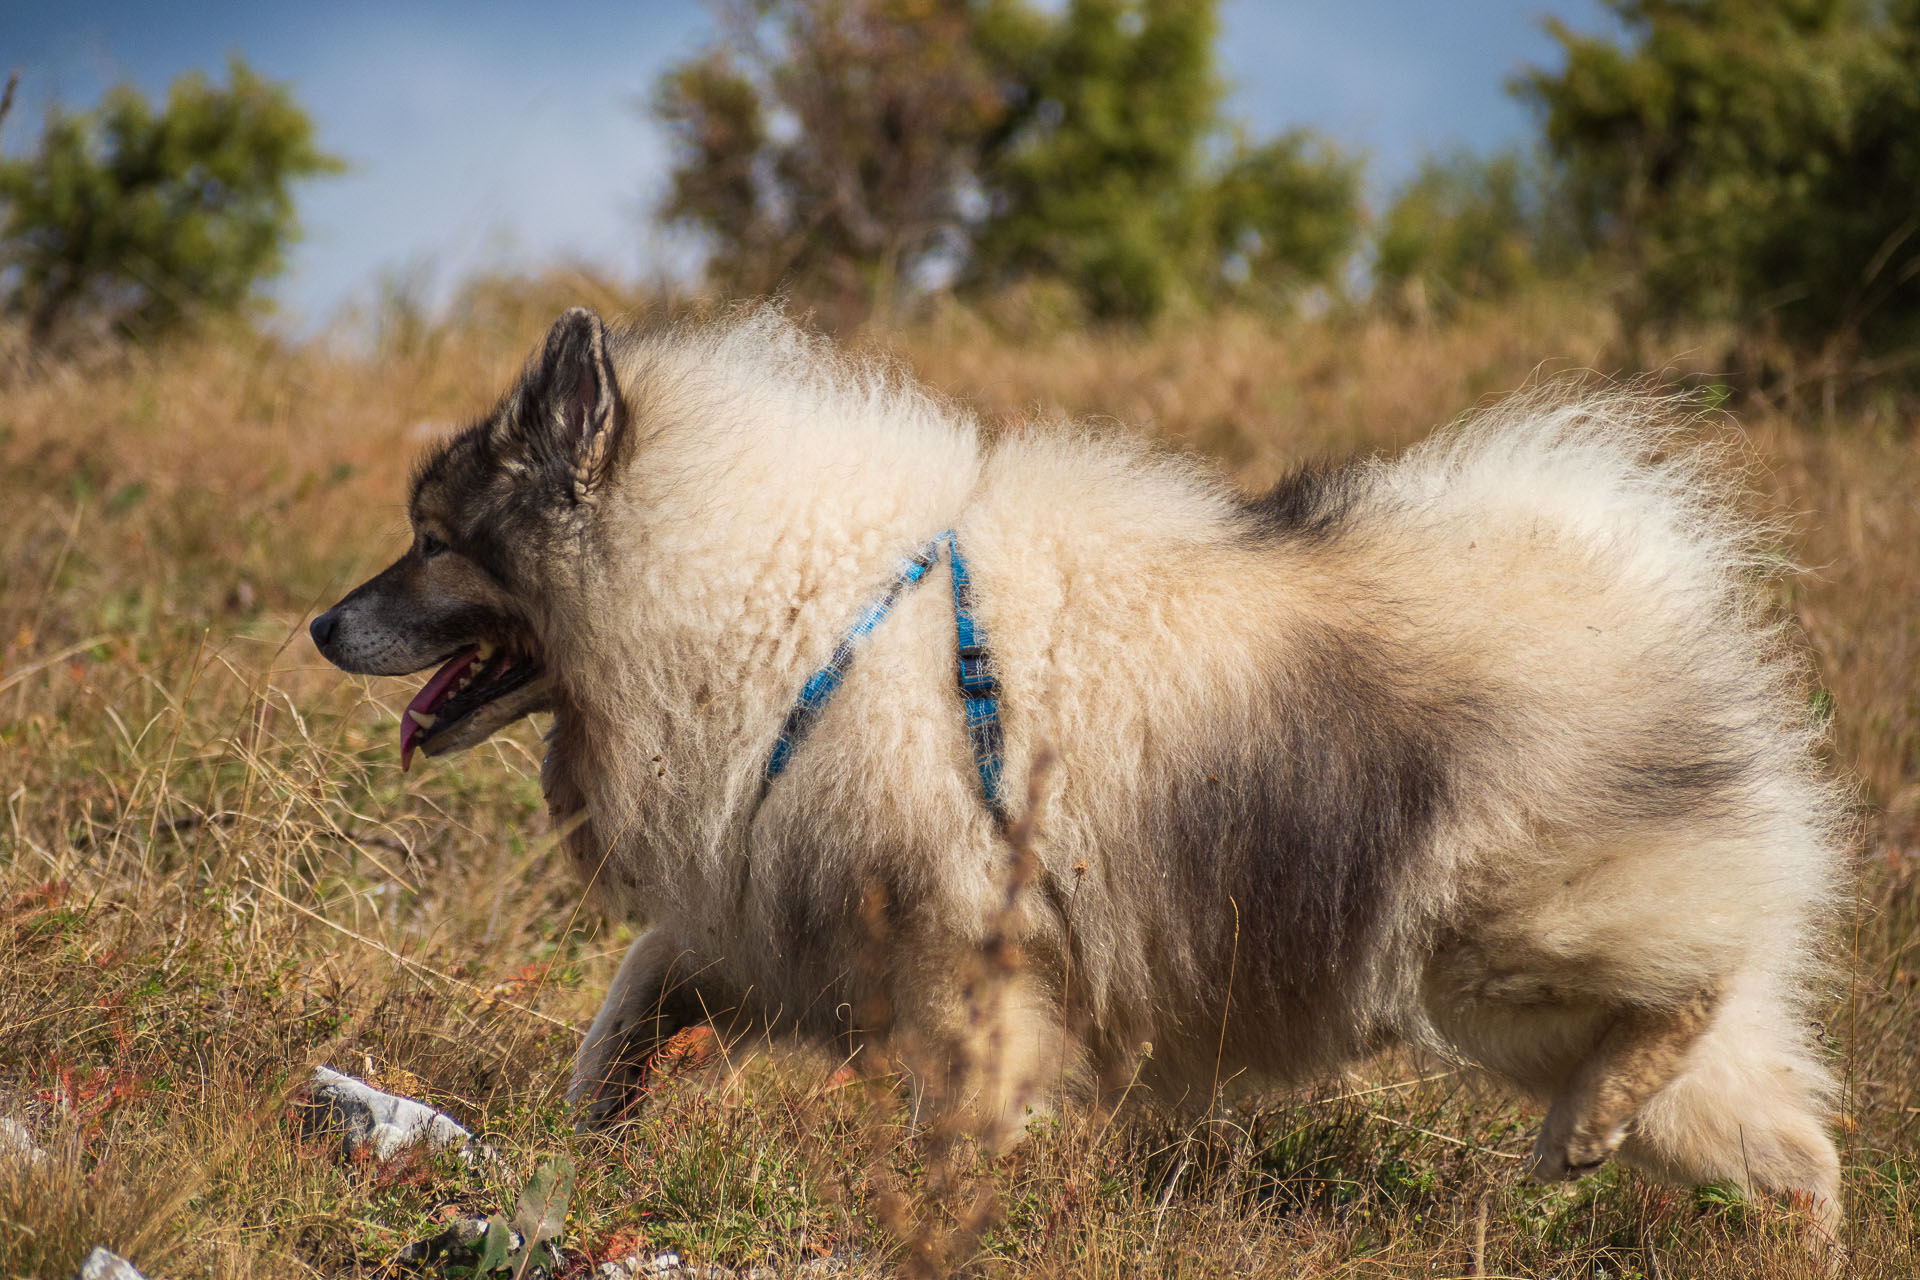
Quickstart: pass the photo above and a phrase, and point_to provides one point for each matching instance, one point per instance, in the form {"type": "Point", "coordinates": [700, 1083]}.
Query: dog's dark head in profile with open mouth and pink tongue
{"type": "Point", "coordinates": [500, 517]}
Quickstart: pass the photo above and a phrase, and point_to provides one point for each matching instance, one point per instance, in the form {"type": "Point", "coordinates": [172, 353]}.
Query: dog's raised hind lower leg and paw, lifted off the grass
{"type": "Point", "coordinates": [1637, 1056]}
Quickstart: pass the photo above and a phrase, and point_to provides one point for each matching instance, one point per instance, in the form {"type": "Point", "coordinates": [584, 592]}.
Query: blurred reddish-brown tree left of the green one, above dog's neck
{"type": "Point", "coordinates": [823, 145]}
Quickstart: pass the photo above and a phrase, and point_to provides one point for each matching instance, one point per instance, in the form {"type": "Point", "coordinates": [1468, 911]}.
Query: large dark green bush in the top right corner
{"type": "Point", "coordinates": [1752, 162]}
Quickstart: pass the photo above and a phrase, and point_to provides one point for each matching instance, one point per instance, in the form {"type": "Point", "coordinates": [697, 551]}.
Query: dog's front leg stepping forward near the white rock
{"type": "Point", "coordinates": [661, 989]}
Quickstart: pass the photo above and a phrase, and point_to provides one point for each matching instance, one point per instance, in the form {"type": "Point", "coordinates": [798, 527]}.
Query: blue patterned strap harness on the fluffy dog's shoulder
{"type": "Point", "coordinates": [978, 688]}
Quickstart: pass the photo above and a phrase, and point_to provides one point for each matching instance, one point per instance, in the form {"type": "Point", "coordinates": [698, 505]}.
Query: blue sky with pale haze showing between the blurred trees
{"type": "Point", "coordinates": [485, 135]}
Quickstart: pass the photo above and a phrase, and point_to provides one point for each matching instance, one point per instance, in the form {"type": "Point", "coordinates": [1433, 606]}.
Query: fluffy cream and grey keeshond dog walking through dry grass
{"type": "Point", "coordinates": [1493, 749]}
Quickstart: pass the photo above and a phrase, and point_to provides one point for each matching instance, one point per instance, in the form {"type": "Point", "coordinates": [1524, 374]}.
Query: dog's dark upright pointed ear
{"type": "Point", "coordinates": [571, 402]}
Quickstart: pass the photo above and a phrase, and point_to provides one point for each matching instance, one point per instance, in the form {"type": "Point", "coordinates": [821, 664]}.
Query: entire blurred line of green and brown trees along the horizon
{"type": "Point", "coordinates": [1742, 168]}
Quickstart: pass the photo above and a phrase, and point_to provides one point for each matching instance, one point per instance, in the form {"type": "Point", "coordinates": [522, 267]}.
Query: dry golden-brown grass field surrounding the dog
{"type": "Point", "coordinates": [214, 874]}
